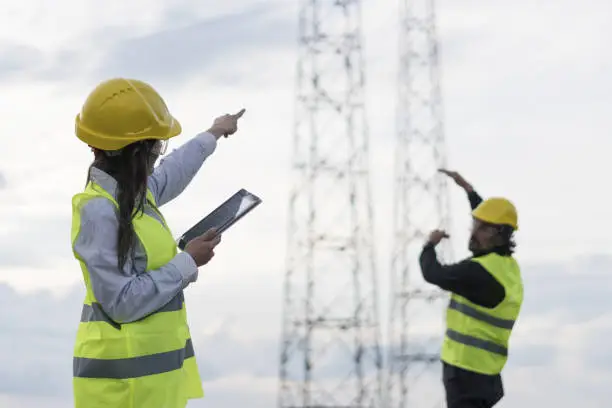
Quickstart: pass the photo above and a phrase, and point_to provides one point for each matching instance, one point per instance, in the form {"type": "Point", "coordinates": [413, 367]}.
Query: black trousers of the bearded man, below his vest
{"type": "Point", "coordinates": [466, 389]}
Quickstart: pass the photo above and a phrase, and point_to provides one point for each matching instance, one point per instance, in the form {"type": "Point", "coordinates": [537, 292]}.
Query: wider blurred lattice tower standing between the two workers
{"type": "Point", "coordinates": [330, 353]}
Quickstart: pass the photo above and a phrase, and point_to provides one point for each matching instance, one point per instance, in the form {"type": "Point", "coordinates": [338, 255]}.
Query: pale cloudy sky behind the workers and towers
{"type": "Point", "coordinates": [526, 99]}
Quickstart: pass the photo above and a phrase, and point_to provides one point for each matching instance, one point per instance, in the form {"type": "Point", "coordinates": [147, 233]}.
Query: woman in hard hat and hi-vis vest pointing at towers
{"type": "Point", "coordinates": [133, 347]}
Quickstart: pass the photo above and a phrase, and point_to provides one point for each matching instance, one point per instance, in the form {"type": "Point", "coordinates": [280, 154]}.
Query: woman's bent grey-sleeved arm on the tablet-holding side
{"type": "Point", "coordinates": [130, 294]}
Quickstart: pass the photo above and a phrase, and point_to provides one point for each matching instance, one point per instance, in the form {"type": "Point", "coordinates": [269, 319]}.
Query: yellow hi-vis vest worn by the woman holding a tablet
{"type": "Point", "coordinates": [145, 364]}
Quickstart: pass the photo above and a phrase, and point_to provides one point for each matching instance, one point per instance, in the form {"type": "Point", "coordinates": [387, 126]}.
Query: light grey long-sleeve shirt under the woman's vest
{"type": "Point", "coordinates": [130, 294]}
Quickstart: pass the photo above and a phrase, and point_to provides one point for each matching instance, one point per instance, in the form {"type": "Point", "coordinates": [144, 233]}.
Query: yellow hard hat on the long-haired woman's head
{"type": "Point", "coordinates": [122, 111]}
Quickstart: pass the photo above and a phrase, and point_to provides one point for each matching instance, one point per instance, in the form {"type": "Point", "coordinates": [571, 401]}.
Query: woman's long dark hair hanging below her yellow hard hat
{"type": "Point", "coordinates": [130, 168]}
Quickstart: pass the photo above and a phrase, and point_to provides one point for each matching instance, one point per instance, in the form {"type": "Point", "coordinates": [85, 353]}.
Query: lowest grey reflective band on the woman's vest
{"type": "Point", "coordinates": [134, 367]}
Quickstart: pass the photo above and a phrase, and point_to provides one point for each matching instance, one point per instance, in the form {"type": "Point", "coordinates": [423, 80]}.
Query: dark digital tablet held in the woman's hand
{"type": "Point", "coordinates": [223, 217]}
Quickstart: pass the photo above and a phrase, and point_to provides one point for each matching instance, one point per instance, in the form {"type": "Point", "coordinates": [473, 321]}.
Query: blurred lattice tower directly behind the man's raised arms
{"type": "Point", "coordinates": [421, 204]}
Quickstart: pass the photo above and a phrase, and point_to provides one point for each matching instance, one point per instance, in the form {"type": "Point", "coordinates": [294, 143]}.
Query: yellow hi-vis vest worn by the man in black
{"type": "Point", "coordinates": [476, 337]}
